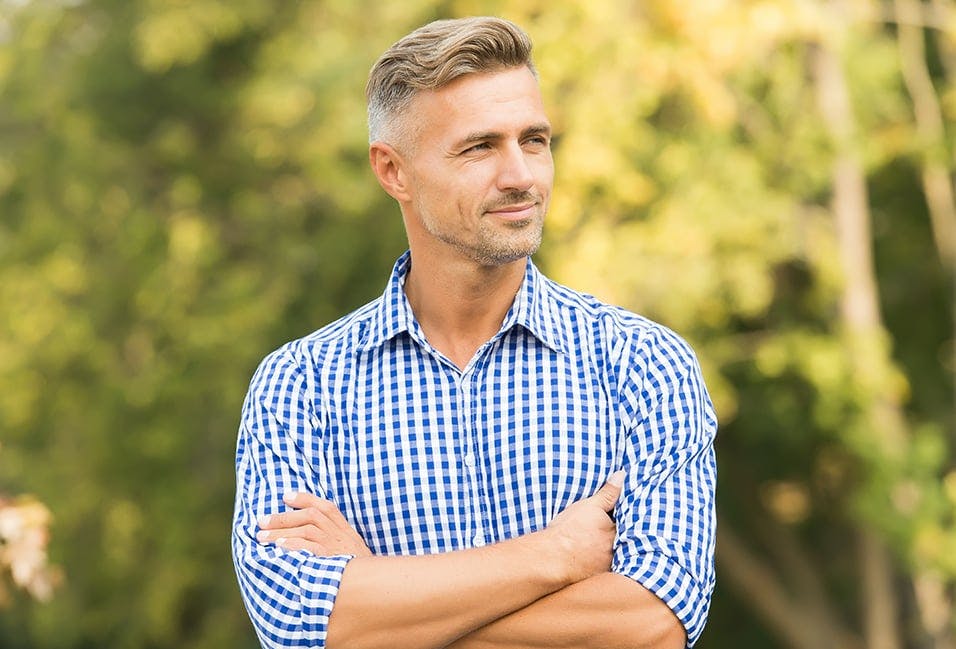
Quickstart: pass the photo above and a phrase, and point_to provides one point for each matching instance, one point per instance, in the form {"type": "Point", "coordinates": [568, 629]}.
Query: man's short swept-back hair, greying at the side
{"type": "Point", "coordinates": [433, 56]}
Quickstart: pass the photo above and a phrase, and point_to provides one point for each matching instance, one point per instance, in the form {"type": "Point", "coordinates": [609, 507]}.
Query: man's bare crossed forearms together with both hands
{"type": "Point", "coordinates": [550, 588]}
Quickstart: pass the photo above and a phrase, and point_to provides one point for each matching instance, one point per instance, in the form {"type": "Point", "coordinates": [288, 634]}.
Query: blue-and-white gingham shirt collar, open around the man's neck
{"type": "Point", "coordinates": [534, 309]}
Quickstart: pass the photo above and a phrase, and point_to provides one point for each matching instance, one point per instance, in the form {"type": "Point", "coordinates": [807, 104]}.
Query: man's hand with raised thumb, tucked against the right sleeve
{"type": "Point", "coordinates": [584, 533]}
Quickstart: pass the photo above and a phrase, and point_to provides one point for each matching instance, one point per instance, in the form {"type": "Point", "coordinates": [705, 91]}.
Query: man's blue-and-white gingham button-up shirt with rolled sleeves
{"type": "Point", "coordinates": [422, 457]}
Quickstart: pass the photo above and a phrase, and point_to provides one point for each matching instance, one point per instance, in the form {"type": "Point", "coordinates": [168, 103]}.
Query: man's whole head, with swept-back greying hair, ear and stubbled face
{"type": "Point", "coordinates": [460, 138]}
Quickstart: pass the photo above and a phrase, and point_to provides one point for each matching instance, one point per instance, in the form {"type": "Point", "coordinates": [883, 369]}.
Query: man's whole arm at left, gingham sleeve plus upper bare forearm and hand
{"type": "Point", "coordinates": [338, 595]}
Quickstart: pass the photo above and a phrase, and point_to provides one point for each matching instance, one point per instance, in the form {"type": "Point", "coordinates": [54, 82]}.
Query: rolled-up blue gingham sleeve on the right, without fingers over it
{"type": "Point", "coordinates": [666, 516]}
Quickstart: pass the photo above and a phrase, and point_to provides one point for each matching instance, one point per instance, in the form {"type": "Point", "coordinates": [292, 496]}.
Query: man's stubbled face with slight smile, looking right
{"type": "Point", "coordinates": [480, 166]}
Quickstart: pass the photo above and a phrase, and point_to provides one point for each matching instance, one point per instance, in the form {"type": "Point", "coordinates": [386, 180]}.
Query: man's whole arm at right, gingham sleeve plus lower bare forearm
{"type": "Point", "coordinates": [664, 546]}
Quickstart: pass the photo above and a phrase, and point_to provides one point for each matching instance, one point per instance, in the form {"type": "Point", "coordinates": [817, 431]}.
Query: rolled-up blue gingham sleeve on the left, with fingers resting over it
{"type": "Point", "coordinates": [289, 594]}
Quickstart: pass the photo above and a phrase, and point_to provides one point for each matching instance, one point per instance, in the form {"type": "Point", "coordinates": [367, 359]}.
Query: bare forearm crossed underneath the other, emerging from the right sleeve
{"type": "Point", "coordinates": [606, 611]}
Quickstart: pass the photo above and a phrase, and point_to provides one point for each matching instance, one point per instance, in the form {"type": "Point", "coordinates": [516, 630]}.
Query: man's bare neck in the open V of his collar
{"type": "Point", "coordinates": [460, 304]}
